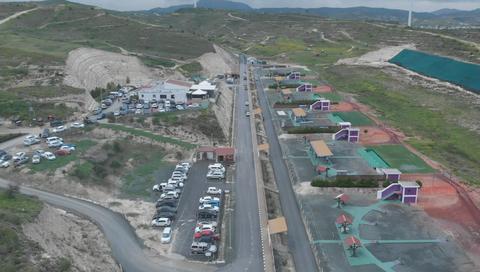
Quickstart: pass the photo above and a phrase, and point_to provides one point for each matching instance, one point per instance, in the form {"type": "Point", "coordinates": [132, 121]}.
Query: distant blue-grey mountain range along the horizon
{"type": "Point", "coordinates": [441, 17]}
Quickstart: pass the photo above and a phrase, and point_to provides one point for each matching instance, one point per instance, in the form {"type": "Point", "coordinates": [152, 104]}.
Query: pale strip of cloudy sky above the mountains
{"type": "Point", "coordinates": [419, 5]}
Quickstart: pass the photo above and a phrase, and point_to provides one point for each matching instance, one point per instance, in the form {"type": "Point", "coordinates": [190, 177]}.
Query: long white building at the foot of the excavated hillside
{"type": "Point", "coordinates": [174, 90]}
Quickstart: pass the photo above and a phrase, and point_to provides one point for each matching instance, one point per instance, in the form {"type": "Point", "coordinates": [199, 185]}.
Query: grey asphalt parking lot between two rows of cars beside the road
{"type": "Point", "coordinates": [186, 217]}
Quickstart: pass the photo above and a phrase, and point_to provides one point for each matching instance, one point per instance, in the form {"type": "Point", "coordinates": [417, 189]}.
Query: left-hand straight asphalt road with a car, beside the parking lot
{"type": "Point", "coordinates": [247, 245]}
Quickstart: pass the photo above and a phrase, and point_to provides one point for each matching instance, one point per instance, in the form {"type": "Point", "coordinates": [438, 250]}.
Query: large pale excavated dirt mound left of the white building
{"type": "Point", "coordinates": [89, 68]}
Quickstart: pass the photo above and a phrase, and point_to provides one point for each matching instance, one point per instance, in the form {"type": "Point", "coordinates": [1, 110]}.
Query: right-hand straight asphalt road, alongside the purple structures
{"type": "Point", "coordinates": [298, 242]}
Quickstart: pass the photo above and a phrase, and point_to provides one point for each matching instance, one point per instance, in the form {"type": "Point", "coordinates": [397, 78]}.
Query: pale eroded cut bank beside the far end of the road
{"type": "Point", "coordinates": [218, 63]}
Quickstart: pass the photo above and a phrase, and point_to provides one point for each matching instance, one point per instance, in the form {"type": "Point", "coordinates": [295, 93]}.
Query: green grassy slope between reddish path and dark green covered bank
{"type": "Point", "coordinates": [433, 120]}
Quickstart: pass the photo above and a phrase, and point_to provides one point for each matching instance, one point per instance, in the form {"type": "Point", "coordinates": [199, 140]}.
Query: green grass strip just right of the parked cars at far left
{"type": "Point", "coordinates": [61, 161]}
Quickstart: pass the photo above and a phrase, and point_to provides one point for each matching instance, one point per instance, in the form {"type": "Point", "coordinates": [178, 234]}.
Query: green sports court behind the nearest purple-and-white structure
{"type": "Point", "coordinates": [398, 156]}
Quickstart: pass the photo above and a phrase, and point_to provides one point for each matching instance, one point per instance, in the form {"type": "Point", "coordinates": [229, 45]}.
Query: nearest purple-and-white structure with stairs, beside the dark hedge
{"type": "Point", "coordinates": [407, 191]}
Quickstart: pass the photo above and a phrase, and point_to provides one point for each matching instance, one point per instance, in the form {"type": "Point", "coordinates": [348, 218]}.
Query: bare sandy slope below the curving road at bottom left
{"type": "Point", "coordinates": [63, 234]}
